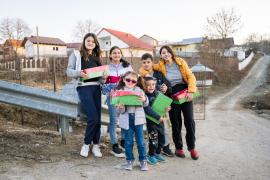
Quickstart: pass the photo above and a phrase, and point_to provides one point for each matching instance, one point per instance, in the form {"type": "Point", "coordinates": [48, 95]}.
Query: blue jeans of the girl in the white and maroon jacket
{"type": "Point", "coordinates": [113, 122]}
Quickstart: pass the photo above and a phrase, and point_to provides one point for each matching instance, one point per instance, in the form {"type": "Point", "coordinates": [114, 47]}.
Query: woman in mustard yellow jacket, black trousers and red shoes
{"type": "Point", "coordinates": [179, 75]}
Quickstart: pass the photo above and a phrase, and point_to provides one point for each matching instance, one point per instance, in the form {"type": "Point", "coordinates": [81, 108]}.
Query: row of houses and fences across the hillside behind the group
{"type": "Point", "coordinates": [206, 55]}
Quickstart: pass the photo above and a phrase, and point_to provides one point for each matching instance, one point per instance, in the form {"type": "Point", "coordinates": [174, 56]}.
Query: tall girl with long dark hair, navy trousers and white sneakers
{"type": "Point", "coordinates": [88, 89]}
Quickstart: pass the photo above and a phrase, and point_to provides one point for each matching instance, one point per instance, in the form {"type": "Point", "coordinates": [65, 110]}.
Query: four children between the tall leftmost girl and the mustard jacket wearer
{"type": "Point", "coordinates": [149, 84]}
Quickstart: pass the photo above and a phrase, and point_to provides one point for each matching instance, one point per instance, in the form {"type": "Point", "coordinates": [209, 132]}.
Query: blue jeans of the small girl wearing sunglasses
{"type": "Point", "coordinates": [138, 130]}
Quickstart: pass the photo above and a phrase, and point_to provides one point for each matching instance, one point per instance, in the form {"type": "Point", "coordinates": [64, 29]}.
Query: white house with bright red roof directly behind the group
{"type": "Point", "coordinates": [130, 45]}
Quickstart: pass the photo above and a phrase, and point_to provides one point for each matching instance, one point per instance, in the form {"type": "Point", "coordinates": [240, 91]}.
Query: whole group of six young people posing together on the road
{"type": "Point", "coordinates": [149, 84]}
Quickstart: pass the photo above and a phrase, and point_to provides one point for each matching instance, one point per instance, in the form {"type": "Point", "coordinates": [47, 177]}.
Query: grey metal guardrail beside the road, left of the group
{"type": "Point", "coordinates": [64, 103]}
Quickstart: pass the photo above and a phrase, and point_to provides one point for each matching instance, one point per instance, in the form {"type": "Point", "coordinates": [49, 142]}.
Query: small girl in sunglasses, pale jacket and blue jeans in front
{"type": "Point", "coordinates": [131, 120]}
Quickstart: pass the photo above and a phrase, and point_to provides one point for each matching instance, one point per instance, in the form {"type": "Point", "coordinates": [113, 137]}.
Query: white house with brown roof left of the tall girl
{"type": "Point", "coordinates": [47, 47]}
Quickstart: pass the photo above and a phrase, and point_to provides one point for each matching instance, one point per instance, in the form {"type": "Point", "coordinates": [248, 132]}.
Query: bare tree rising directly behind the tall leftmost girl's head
{"type": "Point", "coordinates": [83, 27]}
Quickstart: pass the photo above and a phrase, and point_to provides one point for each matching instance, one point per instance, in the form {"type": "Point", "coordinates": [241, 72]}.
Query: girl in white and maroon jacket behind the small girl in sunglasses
{"type": "Point", "coordinates": [117, 68]}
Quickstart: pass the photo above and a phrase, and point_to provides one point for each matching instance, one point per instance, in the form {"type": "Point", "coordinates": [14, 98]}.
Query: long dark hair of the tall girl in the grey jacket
{"type": "Point", "coordinates": [96, 51]}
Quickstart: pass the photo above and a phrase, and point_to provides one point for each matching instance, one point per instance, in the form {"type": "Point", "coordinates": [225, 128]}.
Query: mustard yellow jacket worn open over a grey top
{"type": "Point", "coordinates": [186, 73]}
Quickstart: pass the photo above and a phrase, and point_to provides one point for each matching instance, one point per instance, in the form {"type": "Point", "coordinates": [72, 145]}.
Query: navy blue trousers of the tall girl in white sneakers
{"type": "Point", "coordinates": [90, 97]}
